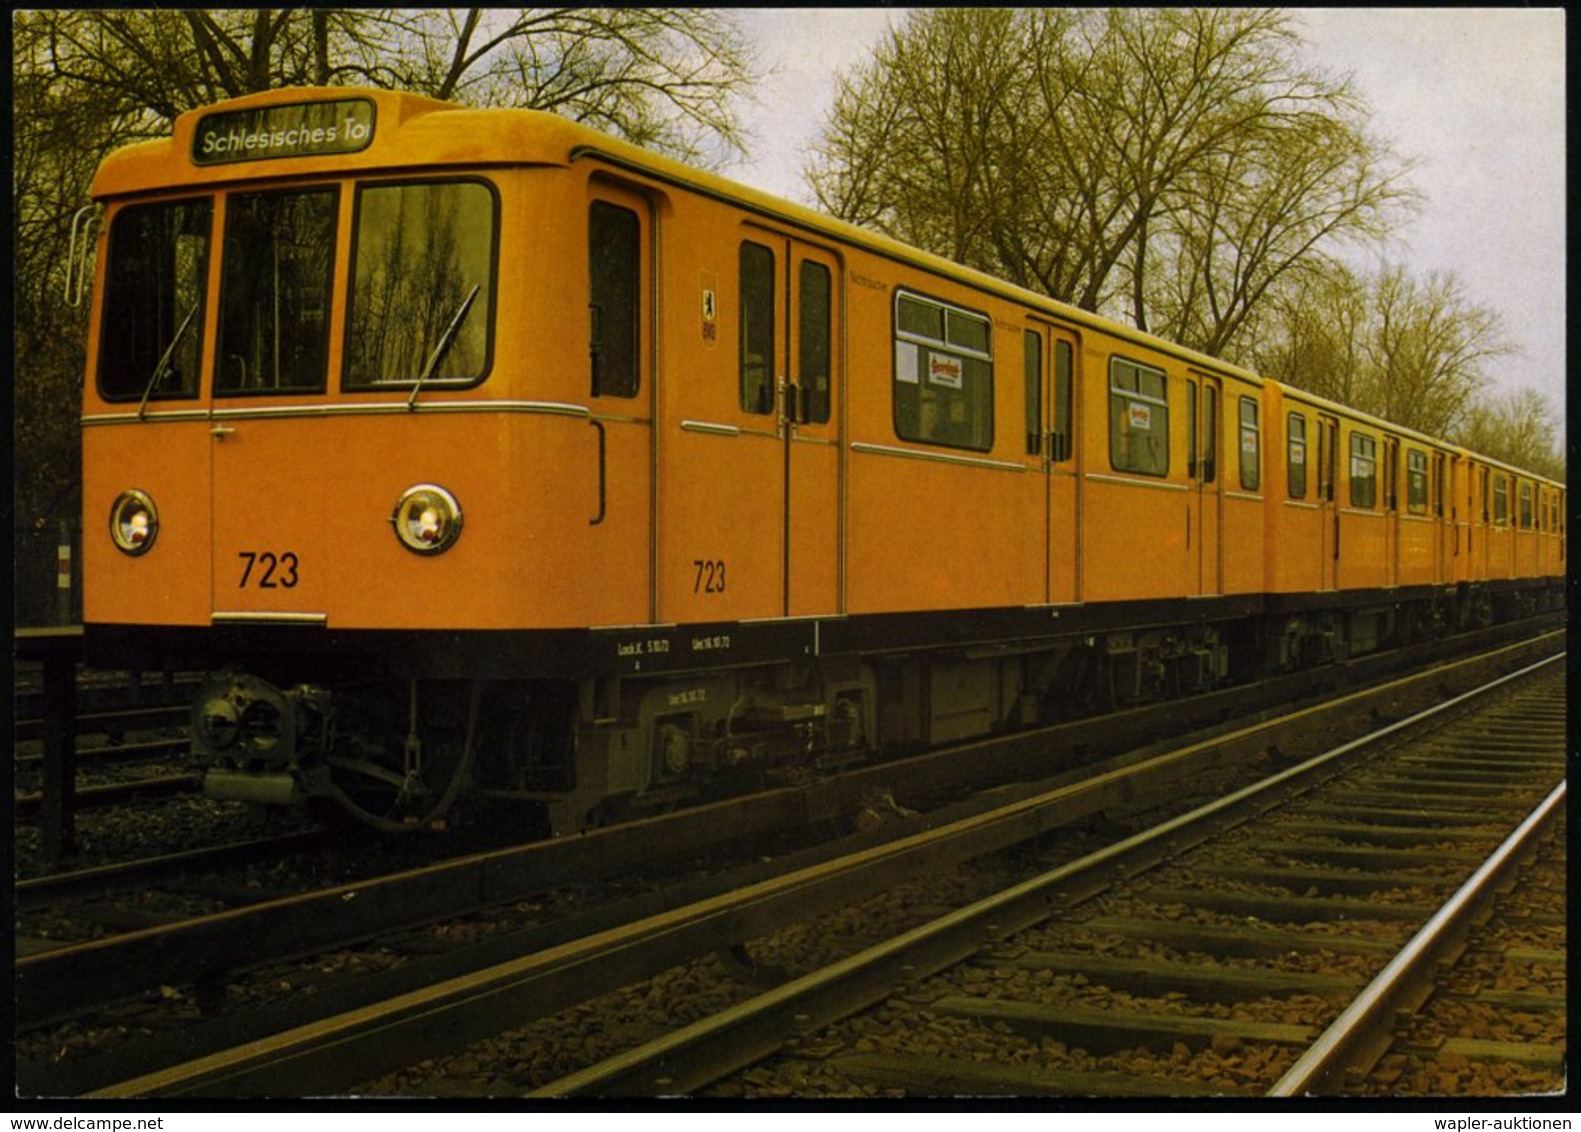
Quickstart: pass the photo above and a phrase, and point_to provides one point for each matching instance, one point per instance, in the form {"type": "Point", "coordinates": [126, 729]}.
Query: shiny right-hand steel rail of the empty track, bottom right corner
{"type": "Point", "coordinates": [1356, 1035]}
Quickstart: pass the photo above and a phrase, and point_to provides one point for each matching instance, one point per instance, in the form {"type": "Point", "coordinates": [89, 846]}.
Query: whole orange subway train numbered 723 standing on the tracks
{"type": "Point", "coordinates": [485, 458]}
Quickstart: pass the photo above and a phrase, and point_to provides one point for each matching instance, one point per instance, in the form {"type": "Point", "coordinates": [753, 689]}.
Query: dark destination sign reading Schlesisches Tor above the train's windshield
{"type": "Point", "coordinates": [295, 130]}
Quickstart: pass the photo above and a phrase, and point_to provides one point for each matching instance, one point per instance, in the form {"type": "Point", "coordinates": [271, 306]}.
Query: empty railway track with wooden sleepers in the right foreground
{"type": "Point", "coordinates": [1150, 970]}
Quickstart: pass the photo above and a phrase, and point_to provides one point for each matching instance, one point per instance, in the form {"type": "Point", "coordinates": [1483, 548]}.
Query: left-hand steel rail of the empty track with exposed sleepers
{"type": "Point", "coordinates": [706, 1051]}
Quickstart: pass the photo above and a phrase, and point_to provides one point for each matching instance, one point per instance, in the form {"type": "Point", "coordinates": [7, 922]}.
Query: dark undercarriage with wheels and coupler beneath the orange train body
{"type": "Point", "coordinates": [410, 753]}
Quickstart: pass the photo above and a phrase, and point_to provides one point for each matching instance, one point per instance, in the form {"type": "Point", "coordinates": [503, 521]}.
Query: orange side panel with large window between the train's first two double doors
{"type": "Point", "coordinates": [960, 521]}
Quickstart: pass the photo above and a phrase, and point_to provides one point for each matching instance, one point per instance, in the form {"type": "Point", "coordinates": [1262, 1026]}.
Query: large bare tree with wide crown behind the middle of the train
{"type": "Point", "coordinates": [1164, 165]}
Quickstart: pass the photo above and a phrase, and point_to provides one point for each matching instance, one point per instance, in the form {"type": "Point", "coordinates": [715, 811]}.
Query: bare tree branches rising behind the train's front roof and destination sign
{"type": "Point", "coordinates": [663, 78]}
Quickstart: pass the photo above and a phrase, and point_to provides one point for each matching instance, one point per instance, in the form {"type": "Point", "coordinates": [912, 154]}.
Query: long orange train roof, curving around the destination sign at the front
{"type": "Point", "coordinates": [407, 130]}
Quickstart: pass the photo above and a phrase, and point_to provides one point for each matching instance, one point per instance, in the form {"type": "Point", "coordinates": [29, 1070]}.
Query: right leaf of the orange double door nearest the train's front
{"type": "Point", "coordinates": [810, 396]}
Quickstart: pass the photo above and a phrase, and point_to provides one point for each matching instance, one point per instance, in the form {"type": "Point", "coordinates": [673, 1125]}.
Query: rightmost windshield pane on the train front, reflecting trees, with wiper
{"type": "Point", "coordinates": [421, 252]}
